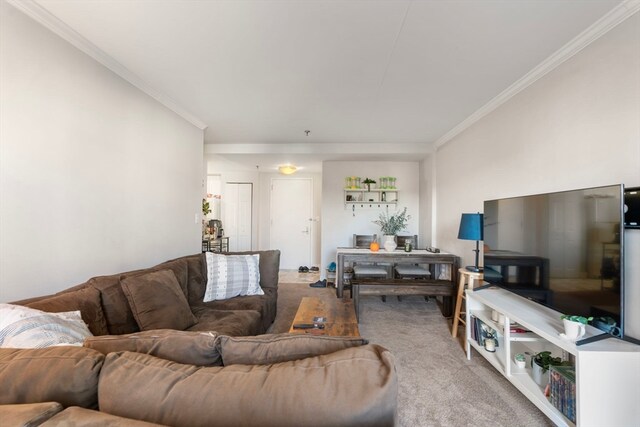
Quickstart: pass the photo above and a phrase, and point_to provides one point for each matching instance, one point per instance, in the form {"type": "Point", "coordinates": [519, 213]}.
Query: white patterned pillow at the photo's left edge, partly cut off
{"type": "Point", "coordinates": [23, 327]}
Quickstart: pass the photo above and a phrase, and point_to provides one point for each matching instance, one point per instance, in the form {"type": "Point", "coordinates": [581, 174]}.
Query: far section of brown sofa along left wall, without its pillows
{"type": "Point", "coordinates": [106, 310]}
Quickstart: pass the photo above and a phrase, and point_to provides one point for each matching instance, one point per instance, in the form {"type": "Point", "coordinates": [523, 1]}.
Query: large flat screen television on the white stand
{"type": "Point", "coordinates": [563, 250]}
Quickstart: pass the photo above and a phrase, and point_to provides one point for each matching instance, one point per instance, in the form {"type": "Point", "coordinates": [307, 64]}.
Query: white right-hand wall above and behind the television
{"type": "Point", "coordinates": [577, 127]}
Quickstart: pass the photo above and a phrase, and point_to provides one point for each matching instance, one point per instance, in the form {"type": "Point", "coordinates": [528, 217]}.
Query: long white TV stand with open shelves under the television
{"type": "Point", "coordinates": [607, 371]}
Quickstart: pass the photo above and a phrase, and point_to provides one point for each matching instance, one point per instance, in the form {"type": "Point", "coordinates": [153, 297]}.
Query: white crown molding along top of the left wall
{"type": "Point", "coordinates": [48, 20]}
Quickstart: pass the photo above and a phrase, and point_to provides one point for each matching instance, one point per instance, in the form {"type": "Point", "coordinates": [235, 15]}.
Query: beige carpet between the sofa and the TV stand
{"type": "Point", "coordinates": [437, 385]}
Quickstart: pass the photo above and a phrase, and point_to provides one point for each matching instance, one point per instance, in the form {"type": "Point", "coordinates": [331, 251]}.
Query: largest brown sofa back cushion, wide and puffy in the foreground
{"type": "Point", "coordinates": [352, 387]}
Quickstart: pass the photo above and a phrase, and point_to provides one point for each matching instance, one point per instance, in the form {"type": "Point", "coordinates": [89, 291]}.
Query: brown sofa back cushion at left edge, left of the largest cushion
{"type": "Point", "coordinates": [68, 375]}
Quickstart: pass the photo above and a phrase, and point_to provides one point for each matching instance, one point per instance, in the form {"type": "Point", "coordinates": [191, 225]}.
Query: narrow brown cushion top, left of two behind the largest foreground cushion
{"type": "Point", "coordinates": [195, 348]}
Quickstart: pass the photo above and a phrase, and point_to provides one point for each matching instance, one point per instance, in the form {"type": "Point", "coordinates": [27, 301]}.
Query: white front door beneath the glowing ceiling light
{"type": "Point", "coordinates": [291, 220]}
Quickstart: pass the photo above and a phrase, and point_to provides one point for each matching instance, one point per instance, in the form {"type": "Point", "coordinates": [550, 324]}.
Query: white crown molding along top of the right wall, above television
{"type": "Point", "coordinates": [617, 15]}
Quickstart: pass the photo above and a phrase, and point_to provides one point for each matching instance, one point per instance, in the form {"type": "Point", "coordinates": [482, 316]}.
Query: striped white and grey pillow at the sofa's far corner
{"type": "Point", "coordinates": [229, 276]}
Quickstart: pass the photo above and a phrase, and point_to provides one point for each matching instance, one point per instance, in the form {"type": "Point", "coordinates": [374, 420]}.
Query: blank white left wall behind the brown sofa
{"type": "Point", "coordinates": [95, 176]}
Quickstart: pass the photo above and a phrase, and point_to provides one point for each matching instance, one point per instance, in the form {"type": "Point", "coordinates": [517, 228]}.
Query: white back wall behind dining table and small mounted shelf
{"type": "Point", "coordinates": [339, 223]}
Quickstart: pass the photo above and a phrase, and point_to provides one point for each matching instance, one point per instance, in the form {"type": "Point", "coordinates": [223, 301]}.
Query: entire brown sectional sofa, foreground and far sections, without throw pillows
{"type": "Point", "coordinates": [219, 371]}
